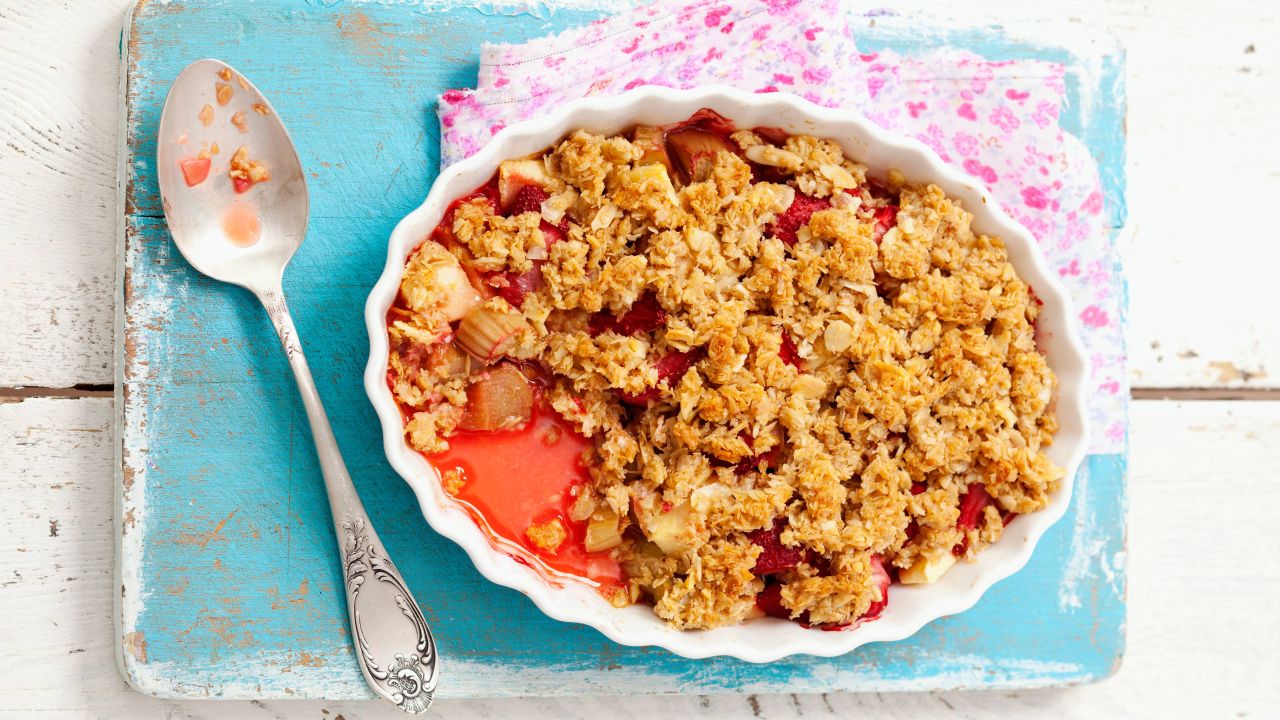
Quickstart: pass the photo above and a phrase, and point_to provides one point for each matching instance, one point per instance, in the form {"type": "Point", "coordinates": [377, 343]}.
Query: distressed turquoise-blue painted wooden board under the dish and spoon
{"type": "Point", "coordinates": [228, 568]}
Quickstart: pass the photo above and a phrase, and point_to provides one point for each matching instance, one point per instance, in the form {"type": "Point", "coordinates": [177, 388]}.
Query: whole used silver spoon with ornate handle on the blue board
{"type": "Point", "coordinates": [248, 239]}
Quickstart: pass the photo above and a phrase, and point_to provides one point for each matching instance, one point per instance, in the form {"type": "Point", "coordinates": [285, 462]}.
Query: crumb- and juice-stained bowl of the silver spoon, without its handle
{"type": "Point", "coordinates": [199, 215]}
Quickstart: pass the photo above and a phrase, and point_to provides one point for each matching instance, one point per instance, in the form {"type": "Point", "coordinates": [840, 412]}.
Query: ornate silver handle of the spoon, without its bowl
{"type": "Point", "coordinates": [394, 645]}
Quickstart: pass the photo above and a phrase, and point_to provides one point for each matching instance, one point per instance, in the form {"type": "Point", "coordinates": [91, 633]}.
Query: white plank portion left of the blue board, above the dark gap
{"type": "Point", "coordinates": [58, 117]}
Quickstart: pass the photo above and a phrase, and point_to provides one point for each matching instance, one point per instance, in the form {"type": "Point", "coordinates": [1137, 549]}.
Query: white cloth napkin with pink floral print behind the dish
{"type": "Point", "coordinates": [998, 121]}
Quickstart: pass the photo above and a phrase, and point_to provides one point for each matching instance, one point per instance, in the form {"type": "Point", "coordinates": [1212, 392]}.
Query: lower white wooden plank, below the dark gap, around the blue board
{"type": "Point", "coordinates": [1201, 631]}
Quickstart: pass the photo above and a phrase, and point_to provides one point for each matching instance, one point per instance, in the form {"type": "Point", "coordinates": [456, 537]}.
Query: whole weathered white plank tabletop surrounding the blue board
{"type": "Point", "coordinates": [1205, 343]}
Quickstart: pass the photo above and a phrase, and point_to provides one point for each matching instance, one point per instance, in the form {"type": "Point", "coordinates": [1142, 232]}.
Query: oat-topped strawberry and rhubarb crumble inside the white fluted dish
{"type": "Point", "coordinates": [725, 373]}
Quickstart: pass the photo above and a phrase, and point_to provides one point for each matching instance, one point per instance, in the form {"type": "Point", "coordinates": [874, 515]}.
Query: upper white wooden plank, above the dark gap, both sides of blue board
{"type": "Point", "coordinates": [1212, 110]}
